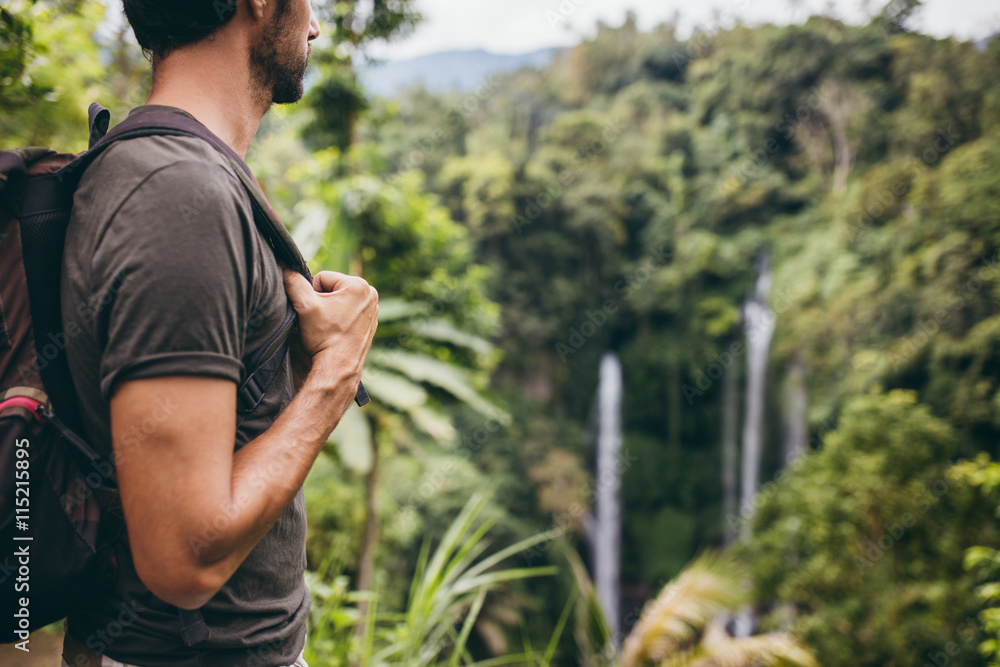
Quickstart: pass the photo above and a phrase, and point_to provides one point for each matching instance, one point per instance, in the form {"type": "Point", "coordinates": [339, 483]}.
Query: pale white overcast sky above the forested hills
{"type": "Point", "coordinates": [519, 26]}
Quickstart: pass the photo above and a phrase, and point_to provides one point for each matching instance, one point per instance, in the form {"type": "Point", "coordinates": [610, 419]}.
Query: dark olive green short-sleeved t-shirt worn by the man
{"type": "Point", "coordinates": [165, 274]}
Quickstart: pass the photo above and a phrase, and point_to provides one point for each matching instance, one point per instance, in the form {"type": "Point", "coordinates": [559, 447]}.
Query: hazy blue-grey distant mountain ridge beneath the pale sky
{"type": "Point", "coordinates": [461, 71]}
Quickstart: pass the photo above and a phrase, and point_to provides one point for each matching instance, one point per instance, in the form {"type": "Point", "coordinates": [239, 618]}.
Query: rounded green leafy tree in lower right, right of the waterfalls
{"type": "Point", "coordinates": [859, 546]}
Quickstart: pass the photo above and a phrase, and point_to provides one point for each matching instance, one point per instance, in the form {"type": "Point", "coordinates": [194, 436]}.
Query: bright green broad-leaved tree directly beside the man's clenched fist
{"type": "Point", "coordinates": [433, 312]}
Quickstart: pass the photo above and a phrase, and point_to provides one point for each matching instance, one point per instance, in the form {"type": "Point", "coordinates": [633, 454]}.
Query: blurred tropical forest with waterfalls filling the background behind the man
{"type": "Point", "coordinates": [688, 348]}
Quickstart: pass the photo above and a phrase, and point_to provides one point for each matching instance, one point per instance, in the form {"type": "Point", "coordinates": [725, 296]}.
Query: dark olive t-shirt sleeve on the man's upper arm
{"type": "Point", "coordinates": [170, 273]}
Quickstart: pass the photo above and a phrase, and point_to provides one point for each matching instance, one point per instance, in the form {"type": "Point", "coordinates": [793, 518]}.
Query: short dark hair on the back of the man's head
{"type": "Point", "coordinates": [162, 26]}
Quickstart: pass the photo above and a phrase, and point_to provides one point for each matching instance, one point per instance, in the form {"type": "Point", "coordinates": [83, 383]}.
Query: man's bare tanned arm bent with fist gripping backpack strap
{"type": "Point", "coordinates": [183, 483]}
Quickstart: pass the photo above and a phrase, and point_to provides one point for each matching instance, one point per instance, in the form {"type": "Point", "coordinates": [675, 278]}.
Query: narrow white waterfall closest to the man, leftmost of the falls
{"type": "Point", "coordinates": [606, 536]}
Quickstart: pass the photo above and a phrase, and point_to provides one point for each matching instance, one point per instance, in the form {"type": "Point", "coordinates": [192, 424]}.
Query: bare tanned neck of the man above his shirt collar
{"type": "Point", "coordinates": [203, 80]}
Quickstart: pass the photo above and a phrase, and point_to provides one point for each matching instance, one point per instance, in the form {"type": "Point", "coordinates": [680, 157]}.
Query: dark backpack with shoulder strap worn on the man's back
{"type": "Point", "coordinates": [59, 509]}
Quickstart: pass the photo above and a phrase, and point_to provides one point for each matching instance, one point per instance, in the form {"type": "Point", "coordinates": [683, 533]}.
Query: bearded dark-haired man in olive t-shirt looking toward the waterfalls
{"type": "Point", "coordinates": [162, 239]}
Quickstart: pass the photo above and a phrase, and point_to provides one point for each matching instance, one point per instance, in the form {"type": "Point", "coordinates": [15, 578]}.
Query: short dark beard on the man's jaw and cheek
{"type": "Point", "coordinates": [277, 64]}
